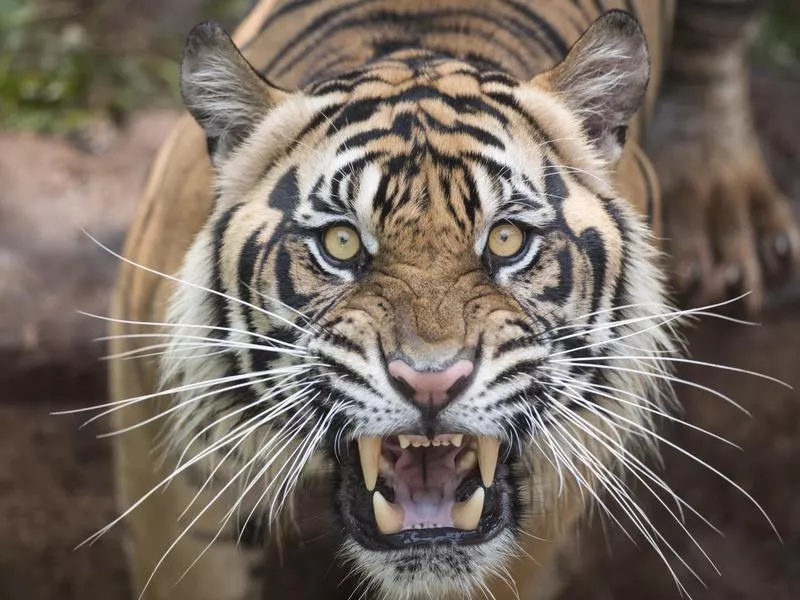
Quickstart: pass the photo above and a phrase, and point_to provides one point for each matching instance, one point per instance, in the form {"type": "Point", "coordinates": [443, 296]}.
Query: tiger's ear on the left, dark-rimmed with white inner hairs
{"type": "Point", "coordinates": [222, 91]}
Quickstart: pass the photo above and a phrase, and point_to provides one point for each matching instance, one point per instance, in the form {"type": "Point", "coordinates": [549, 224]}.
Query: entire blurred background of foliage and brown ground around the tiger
{"type": "Point", "coordinates": [88, 91]}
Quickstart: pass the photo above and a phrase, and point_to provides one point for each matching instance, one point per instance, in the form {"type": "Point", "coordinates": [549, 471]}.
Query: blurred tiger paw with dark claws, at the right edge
{"type": "Point", "coordinates": [729, 230]}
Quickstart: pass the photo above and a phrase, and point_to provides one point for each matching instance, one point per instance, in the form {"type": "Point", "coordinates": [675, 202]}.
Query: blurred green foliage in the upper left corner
{"type": "Point", "coordinates": [64, 62]}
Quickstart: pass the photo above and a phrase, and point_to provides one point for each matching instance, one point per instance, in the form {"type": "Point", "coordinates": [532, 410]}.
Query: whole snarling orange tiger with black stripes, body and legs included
{"type": "Point", "coordinates": [400, 259]}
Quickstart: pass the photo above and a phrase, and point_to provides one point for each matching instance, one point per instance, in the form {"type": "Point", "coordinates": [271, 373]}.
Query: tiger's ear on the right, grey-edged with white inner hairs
{"type": "Point", "coordinates": [603, 79]}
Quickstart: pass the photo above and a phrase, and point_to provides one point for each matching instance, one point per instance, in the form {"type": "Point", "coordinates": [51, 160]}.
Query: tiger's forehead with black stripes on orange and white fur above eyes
{"type": "Point", "coordinates": [424, 151]}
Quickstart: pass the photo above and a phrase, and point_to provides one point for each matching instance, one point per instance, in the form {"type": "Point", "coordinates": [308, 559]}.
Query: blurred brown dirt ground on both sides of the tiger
{"type": "Point", "coordinates": [55, 484]}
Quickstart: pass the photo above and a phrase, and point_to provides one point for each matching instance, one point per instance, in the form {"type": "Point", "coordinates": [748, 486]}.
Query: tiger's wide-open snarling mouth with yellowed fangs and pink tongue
{"type": "Point", "coordinates": [411, 490]}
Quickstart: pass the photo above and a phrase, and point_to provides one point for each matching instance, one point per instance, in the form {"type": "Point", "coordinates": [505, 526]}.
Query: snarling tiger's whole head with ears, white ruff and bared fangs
{"type": "Point", "coordinates": [419, 273]}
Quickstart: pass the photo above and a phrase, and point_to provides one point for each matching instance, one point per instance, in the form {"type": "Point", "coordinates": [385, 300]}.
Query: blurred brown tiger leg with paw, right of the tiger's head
{"type": "Point", "coordinates": [728, 228]}
